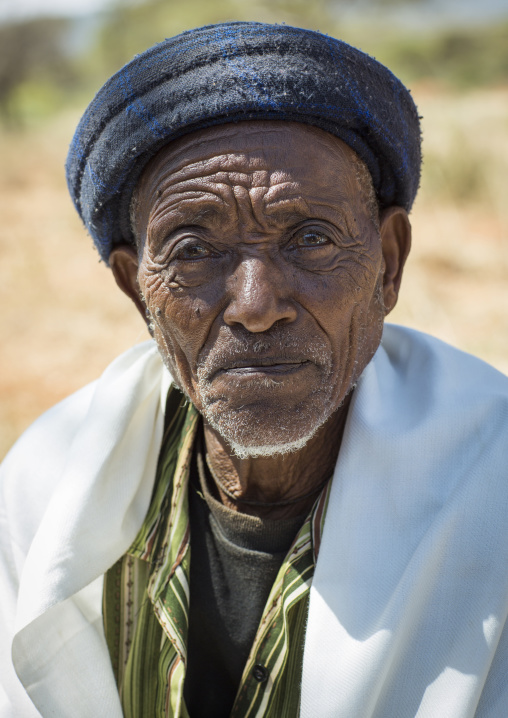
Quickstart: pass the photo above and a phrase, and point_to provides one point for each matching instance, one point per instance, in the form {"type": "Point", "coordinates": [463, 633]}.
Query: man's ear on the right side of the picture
{"type": "Point", "coordinates": [395, 231]}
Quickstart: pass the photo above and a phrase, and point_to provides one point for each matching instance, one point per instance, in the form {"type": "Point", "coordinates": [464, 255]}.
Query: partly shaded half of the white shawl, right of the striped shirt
{"type": "Point", "coordinates": [410, 595]}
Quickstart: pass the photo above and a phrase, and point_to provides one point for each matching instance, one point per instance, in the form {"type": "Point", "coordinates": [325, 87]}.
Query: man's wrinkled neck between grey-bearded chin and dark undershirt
{"type": "Point", "coordinates": [287, 480]}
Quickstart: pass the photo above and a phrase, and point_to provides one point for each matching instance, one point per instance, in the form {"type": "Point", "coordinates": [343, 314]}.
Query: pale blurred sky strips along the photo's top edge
{"type": "Point", "coordinates": [465, 10]}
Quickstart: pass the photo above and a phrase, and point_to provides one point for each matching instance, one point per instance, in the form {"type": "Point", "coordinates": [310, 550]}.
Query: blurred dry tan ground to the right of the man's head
{"type": "Point", "coordinates": [456, 281]}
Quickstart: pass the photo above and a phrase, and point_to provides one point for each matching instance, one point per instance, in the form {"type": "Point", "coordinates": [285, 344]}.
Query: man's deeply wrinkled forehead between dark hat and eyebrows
{"type": "Point", "coordinates": [250, 169]}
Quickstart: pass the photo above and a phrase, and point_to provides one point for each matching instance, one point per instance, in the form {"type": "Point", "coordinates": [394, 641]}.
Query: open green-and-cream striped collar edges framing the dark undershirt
{"type": "Point", "coordinates": [164, 541]}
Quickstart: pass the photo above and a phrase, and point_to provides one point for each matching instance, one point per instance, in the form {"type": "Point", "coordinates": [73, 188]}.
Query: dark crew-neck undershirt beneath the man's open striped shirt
{"type": "Point", "coordinates": [235, 559]}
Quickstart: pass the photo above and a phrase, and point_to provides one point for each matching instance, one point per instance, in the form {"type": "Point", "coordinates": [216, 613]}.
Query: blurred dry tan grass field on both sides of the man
{"type": "Point", "coordinates": [63, 319]}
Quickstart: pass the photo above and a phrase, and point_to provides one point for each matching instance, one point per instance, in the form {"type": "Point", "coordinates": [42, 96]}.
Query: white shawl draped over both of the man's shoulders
{"type": "Point", "coordinates": [410, 594]}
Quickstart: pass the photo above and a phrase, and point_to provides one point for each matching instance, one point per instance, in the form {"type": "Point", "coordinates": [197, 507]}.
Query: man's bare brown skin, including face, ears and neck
{"type": "Point", "coordinates": [267, 281]}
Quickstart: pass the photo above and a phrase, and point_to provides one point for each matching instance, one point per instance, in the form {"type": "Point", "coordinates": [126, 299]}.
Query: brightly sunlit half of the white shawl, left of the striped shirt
{"type": "Point", "coordinates": [96, 453]}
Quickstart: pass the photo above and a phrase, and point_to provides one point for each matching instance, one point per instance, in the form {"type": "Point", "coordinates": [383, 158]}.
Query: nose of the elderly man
{"type": "Point", "coordinates": [259, 298]}
